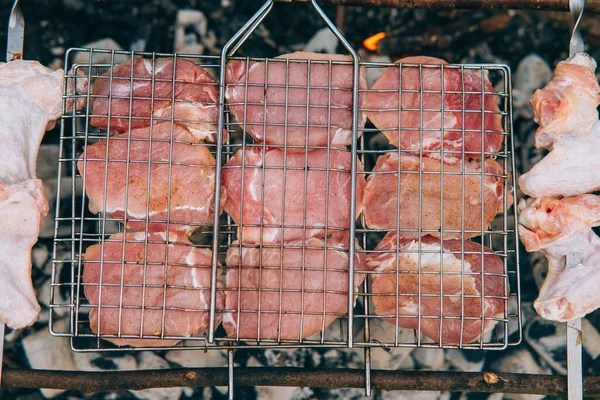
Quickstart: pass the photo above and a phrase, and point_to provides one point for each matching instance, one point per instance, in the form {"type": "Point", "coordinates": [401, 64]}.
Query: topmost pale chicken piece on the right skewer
{"type": "Point", "coordinates": [568, 104]}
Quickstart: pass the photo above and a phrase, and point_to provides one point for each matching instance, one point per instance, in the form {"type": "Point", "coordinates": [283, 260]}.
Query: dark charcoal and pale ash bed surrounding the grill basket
{"type": "Point", "coordinates": [531, 43]}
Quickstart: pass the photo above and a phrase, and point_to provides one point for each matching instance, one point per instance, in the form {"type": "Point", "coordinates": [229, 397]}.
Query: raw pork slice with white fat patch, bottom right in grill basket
{"type": "Point", "coordinates": [405, 280]}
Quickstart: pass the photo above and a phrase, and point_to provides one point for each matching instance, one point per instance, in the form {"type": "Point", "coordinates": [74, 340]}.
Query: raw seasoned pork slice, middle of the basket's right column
{"type": "Point", "coordinates": [380, 201]}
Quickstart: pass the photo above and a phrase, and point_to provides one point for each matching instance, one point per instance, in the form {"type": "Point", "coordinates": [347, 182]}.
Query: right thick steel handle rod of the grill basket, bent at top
{"type": "Point", "coordinates": [354, 149]}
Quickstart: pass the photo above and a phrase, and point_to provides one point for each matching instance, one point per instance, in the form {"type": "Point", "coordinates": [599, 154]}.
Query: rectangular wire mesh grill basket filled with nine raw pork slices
{"type": "Point", "coordinates": [284, 244]}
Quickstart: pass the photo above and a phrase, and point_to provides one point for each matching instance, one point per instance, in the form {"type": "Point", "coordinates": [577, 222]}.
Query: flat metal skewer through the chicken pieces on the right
{"type": "Point", "coordinates": [574, 333]}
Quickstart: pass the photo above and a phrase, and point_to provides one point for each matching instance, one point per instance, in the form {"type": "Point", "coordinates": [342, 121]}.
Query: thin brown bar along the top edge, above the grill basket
{"type": "Point", "coordinates": [542, 5]}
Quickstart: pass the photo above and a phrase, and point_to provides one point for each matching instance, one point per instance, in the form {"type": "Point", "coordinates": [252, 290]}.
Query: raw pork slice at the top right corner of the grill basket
{"type": "Point", "coordinates": [382, 110]}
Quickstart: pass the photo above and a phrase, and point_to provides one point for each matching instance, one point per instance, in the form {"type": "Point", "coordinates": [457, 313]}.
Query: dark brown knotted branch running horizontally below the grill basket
{"type": "Point", "coordinates": [299, 377]}
